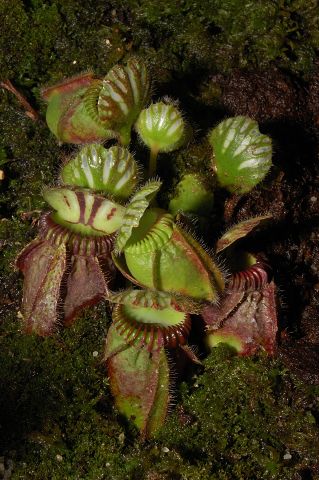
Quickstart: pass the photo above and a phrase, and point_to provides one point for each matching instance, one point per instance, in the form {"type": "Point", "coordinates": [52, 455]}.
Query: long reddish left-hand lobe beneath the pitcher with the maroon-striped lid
{"type": "Point", "coordinates": [43, 266]}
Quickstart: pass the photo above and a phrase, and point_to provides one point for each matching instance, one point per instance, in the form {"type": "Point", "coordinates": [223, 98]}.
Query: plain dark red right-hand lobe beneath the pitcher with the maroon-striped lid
{"type": "Point", "coordinates": [86, 286]}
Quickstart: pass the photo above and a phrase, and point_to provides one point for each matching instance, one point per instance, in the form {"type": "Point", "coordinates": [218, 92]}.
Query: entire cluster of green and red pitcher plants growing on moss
{"type": "Point", "coordinates": [103, 220]}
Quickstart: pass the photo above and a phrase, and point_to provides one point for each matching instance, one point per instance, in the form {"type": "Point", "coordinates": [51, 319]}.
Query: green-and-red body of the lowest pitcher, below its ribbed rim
{"type": "Point", "coordinates": [139, 381]}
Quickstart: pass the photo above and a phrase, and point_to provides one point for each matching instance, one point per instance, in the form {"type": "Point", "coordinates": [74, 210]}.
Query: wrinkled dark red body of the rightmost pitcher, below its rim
{"type": "Point", "coordinates": [246, 321]}
